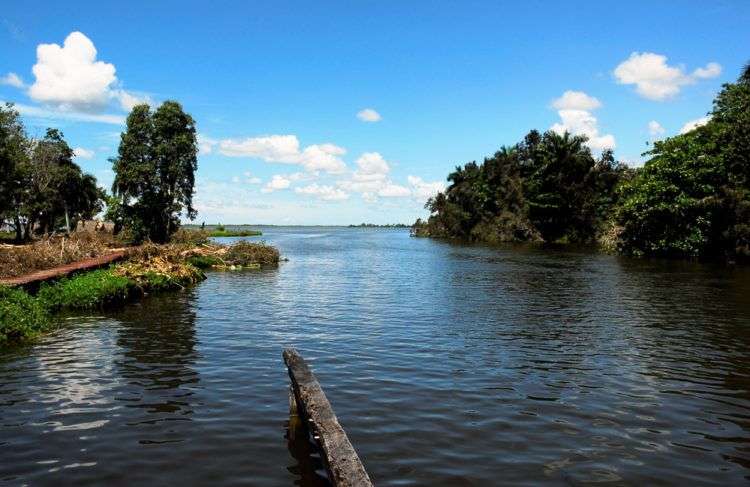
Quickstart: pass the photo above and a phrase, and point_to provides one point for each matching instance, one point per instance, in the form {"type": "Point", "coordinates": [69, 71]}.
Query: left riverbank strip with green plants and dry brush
{"type": "Point", "coordinates": [146, 269]}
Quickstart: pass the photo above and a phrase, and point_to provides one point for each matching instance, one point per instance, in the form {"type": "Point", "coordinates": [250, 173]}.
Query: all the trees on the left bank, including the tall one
{"type": "Point", "coordinates": [43, 191]}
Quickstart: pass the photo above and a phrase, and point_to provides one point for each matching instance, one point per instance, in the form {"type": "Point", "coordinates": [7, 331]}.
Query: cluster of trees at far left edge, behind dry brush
{"type": "Point", "coordinates": [41, 188]}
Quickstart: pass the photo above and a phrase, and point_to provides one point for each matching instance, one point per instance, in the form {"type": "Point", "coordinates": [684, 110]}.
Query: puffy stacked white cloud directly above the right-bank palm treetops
{"type": "Point", "coordinates": [574, 109]}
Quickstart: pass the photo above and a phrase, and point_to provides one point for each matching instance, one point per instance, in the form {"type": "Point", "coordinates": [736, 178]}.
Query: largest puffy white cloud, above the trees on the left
{"type": "Point", "coordinates": [70, 78]}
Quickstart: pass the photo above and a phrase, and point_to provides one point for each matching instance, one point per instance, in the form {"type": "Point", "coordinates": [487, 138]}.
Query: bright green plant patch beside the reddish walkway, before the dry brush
{"type": "Point", "coordinates": [96, 289]}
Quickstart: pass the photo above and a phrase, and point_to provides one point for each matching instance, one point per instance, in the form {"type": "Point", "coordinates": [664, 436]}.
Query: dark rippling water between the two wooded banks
{"type": "Point", "coordinates": [447, 365]}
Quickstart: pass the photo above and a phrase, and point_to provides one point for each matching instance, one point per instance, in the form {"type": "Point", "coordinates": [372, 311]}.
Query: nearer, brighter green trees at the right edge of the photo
{"type": "Point", "coordinates": [692, 198]}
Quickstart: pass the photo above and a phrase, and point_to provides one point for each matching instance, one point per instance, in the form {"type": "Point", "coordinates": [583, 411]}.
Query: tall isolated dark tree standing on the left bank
{"type": "Point", "coordinates": [155, 171]}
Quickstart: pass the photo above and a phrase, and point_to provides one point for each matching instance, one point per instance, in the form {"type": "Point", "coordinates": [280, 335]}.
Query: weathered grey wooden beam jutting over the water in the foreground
{"type": "Point", "coordinates": [344, 466]}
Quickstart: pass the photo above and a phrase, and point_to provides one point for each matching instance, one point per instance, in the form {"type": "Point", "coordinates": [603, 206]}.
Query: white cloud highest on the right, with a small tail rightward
{"type": "Point", "coordinates": [655, 79]}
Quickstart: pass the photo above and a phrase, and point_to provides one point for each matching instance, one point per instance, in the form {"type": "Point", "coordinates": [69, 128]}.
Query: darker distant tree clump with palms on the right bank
{"type": "Point", "coordinates": [548, 187]}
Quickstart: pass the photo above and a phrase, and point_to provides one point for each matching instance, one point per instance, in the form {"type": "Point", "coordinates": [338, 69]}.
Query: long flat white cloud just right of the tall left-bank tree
{"type": "Point", "coordinates": [286, 149]}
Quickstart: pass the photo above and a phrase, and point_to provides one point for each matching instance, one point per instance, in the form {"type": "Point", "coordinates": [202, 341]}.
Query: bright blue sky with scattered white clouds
{"type": "Point", "coordinates": [355, 111]}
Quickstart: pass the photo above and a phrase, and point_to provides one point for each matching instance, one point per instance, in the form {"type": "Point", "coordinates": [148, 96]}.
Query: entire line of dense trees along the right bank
{"type": "Point", "coordinates": [690, 199]}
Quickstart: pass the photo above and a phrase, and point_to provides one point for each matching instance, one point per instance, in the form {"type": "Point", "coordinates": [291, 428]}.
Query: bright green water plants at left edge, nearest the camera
{"type": "Point", "coordinates": [21, 316]}
